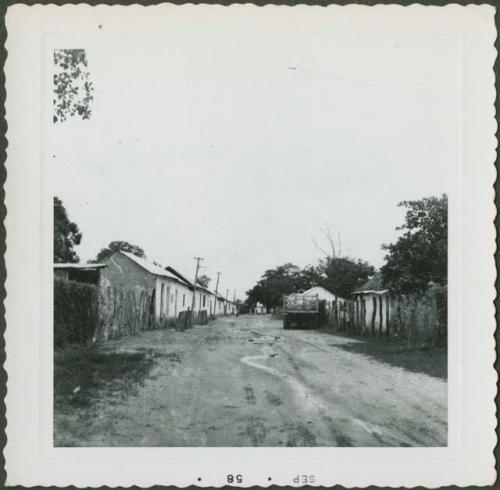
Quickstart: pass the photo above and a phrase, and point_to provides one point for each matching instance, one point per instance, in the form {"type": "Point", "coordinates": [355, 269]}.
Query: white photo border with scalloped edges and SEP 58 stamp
{"type": "Point", "coordinates": [30, 457]}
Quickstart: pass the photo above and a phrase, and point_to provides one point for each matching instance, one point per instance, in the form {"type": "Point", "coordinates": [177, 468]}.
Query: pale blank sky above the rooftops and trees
{"type": "Point", "coordinates": [240, 149]}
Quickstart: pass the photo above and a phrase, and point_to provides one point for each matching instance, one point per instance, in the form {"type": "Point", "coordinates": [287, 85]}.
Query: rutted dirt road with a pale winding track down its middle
{"type": "Point", "coordinates": [244, 381]}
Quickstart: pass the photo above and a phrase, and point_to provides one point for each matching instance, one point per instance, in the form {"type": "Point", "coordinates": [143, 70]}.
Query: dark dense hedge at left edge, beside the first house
{"type": "Point", "coordinates": [75, 312]}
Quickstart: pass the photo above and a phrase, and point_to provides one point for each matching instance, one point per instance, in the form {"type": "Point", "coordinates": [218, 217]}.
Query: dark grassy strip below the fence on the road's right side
{"type": "Point", "coordinates": [429, 360]}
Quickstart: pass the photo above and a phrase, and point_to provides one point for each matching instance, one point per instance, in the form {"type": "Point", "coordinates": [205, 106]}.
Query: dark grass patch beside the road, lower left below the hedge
{"type": "Point", "coordinates": [81, 374]}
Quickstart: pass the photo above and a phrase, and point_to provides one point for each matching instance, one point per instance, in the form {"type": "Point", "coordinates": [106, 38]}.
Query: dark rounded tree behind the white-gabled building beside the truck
{"type": "Point", "coordinates": [343, 275]}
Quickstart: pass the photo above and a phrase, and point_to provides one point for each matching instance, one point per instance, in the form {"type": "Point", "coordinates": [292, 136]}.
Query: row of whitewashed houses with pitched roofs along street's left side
{"type": "Point", "coordinates": [137, 294]}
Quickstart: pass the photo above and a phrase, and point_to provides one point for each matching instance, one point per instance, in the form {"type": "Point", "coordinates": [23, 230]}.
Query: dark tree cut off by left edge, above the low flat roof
{"type": "Point", "coordinates": [66, 235]}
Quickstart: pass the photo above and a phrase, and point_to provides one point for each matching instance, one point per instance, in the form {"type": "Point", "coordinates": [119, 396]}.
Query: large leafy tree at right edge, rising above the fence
{"type": "Point", "coordinates": [420, 256]}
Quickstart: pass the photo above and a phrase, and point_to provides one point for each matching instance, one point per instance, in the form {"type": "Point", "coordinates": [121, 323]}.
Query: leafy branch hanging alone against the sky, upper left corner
{"type": "Point", "coordinates": [73, 90]}
